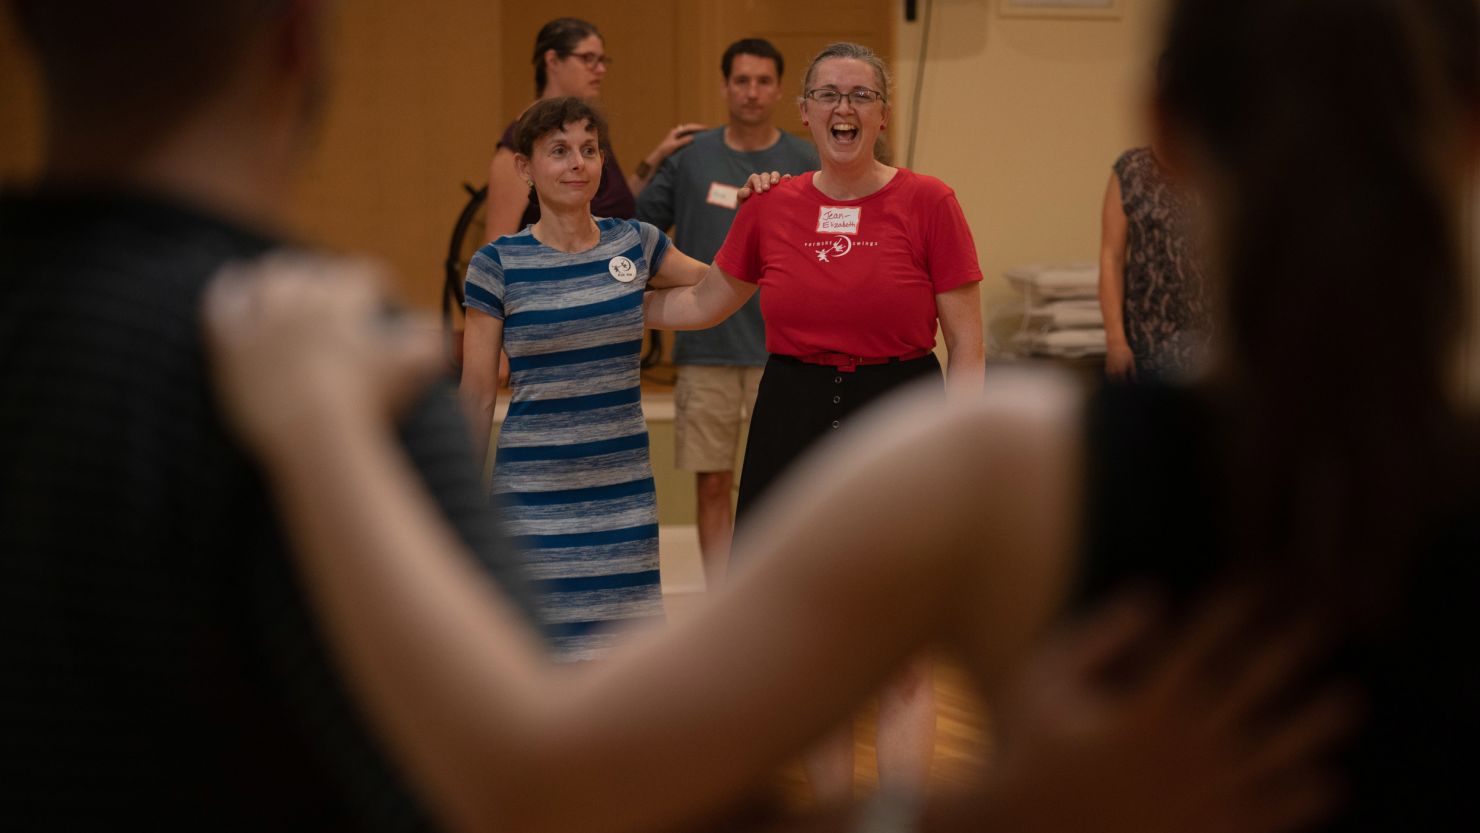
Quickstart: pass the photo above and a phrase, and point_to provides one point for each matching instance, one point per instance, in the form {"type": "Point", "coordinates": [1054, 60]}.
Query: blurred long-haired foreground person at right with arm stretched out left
{"type": "Point", "coordinates": [1343, 490]}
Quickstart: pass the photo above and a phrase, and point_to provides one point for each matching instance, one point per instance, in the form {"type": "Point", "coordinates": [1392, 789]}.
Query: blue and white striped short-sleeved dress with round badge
{"type": "Point", "coordinates": [572, 470]}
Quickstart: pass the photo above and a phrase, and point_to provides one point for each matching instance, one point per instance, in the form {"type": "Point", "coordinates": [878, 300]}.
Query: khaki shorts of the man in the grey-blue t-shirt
{"type": "Point", "coordinates": [713, 403]}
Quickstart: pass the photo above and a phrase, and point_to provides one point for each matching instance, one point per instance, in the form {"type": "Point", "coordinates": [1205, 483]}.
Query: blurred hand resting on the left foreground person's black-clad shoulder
{"type": "Point", "coordinates": [295, 338]}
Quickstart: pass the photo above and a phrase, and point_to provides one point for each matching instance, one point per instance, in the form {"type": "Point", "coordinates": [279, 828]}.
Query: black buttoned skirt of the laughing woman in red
{"type": "Point", "coordinates": [800, 405]}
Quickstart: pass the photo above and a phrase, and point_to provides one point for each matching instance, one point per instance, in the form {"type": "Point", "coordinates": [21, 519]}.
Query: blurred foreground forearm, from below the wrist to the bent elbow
{"type": "Point", "coordinates": [442, 664]}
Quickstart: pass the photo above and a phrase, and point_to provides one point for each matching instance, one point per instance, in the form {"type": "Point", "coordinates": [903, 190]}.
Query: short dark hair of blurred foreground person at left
{"type": "Point", "coordinates": [131, 72]}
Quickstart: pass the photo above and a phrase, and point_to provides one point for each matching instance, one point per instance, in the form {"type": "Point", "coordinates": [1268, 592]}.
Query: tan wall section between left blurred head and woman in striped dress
{"type": "Point", "coordinates": [414, 113]}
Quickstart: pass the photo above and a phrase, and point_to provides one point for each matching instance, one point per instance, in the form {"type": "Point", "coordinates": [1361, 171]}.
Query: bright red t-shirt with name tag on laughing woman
{"type": "Point", "coordinates": [853, 277]}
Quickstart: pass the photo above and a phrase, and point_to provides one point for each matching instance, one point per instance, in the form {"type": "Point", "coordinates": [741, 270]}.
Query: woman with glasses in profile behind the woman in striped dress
{"type": "Point", "coordinates": [571, 60]}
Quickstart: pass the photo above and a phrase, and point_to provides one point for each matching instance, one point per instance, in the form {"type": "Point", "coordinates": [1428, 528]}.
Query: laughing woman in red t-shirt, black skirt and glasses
{"type": "Point", "coordinates": [859, 263]}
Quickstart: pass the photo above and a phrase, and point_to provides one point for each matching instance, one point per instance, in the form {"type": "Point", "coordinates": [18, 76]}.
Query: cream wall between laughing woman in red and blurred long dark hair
{"type": "Point", "coordinates": [1023, 118]}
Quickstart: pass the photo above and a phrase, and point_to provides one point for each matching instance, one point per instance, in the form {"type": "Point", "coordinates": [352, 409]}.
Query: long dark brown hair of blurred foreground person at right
{"type": "Point", "coordinates": [1334, 128]}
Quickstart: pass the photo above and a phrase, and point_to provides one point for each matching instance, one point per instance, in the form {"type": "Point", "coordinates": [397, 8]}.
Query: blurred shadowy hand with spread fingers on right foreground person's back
{"type": "Point", "coordinates": [1171, 751]}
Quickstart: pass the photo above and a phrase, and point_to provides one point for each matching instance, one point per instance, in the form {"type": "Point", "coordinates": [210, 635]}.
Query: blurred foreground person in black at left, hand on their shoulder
{"type": "Point", "coordinates": [159, 665]}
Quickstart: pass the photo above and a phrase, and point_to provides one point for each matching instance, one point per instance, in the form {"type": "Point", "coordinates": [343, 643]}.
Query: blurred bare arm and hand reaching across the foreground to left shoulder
{"type": "Point", "coordinates": [501, 741]}
